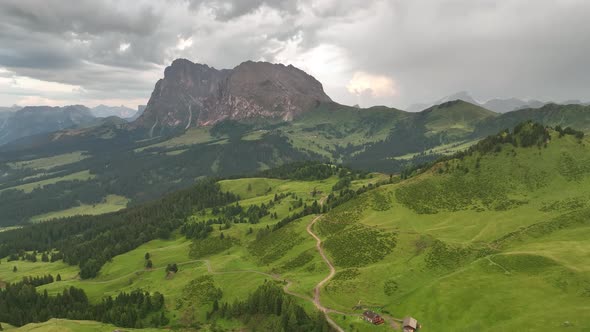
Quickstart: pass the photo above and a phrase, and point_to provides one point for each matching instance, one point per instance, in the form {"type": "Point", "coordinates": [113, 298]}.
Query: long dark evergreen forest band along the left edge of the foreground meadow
{"type": "Point", "coordinates": [90, 241]}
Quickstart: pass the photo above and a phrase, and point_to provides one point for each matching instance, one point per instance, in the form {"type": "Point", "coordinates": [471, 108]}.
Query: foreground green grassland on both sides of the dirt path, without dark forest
{"type": "Point", "coordinates": [494, 238]}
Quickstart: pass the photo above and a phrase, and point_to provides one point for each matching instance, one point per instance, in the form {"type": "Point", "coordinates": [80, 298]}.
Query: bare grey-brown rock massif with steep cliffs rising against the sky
{"type": "Point", "coordinates": [195, 95]}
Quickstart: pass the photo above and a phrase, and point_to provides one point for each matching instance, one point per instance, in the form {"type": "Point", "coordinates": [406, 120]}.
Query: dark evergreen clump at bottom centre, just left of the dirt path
{"type": "Point", "coordinates": [270, 300]}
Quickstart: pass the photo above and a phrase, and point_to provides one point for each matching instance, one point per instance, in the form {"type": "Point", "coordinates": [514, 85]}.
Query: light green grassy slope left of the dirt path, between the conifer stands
{"type": "Point", "coordinates": [237, 269]}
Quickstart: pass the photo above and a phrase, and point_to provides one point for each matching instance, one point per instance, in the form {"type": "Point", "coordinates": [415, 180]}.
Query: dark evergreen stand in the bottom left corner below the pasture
{"type": "Point", "coordinates": [21, 304]}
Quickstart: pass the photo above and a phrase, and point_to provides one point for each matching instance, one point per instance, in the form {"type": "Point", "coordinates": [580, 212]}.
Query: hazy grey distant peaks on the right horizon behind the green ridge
{"type": "Point", "coordinates": [497, 105]}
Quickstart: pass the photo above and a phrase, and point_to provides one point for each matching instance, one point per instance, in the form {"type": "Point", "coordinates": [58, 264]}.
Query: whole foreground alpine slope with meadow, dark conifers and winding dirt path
{"type": "Point", "coordinates": [501, 227]}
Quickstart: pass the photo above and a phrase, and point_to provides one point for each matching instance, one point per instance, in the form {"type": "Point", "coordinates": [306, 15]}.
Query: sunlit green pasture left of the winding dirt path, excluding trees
{"type": "Point", "coordinates": [237, 270]}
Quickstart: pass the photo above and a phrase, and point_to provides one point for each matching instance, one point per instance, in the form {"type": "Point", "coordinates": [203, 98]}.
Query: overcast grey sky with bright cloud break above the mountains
{"type": "Point", "coordinates": [386, 52]}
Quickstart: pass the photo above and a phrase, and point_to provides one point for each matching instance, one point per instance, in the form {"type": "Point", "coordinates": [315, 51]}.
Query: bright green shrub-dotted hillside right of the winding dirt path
{"type": "Point", "coordinates": [490, 242]}
